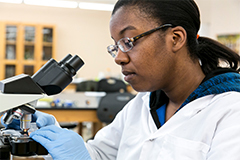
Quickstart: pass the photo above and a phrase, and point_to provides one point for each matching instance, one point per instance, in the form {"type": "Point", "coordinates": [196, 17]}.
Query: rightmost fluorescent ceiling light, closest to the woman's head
{"type": "Point", "coordinates": [96, 6]}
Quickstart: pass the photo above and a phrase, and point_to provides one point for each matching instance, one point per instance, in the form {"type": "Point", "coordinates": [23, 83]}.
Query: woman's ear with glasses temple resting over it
{"type": "Point", "coordinates": [178, 38]}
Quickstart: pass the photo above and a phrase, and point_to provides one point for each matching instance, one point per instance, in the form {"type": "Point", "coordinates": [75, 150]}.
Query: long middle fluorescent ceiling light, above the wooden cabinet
{"type": "Point", "coordinates": [52, 3]}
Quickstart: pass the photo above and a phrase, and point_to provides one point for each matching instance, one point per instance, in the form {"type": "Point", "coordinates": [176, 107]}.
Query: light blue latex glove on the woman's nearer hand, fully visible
{"type": "Point", "coordinates": [61, 143]}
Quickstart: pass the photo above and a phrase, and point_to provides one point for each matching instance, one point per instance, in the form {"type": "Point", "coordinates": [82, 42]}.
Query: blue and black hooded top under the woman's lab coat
{"type": "Point", "coordinates": [218, 81]}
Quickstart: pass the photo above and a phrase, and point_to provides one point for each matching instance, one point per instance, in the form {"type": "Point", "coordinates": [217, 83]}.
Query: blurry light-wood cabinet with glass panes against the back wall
{"type": "Point", "coordinates": [25, 47]}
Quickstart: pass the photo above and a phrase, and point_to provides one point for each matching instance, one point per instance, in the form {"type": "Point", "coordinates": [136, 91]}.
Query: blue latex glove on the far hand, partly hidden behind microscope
{"type": "Point", "coordinates": [41, 119]}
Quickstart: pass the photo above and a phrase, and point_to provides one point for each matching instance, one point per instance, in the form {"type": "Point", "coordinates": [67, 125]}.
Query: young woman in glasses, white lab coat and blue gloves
{"type": "Point", "coordinates": [187, 107]}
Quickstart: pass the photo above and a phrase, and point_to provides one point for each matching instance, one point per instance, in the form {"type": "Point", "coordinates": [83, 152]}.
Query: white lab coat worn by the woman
{"type": "Point", "coordinates": [206, 129]}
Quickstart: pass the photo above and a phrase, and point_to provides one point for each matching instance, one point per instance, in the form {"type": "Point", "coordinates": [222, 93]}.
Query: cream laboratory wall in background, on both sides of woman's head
{"type": "Point", "coordinates": [86, 32]}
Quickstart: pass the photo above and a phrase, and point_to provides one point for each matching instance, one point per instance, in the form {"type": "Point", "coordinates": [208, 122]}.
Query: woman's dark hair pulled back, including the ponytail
{"type": "Point", "coordinates": [185, 13]}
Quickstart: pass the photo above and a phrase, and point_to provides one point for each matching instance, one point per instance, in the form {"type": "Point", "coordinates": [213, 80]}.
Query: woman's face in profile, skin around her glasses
{"type": "Point", "coordinates": [149, 66]}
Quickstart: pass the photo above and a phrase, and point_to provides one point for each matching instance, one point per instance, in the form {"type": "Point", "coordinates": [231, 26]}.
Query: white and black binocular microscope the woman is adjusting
{"type": "Point", "coordinates": [19, 95]}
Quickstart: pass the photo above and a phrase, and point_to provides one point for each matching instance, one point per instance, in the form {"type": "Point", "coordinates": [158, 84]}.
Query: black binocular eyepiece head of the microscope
{"type": "Point", "coordinates": [53, 77]}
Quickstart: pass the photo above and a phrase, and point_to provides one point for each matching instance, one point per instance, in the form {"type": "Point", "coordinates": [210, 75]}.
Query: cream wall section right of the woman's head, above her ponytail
{"type": "Point", "coordinates": [219, 17]}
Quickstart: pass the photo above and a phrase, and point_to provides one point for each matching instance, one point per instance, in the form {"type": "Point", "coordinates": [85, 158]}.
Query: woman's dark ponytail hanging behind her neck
{"type": "Point", "coordinates": [211, 53]}
